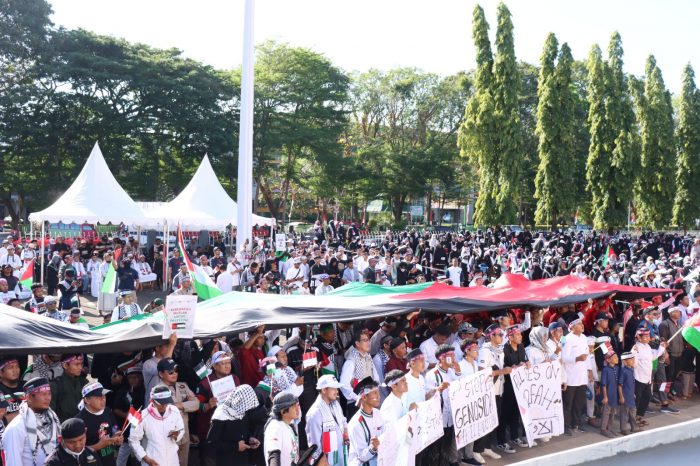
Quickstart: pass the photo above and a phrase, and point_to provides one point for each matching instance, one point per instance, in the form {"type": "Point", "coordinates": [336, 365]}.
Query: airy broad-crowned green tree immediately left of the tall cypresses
{"type": "Point", "coordinates": [405, 127]}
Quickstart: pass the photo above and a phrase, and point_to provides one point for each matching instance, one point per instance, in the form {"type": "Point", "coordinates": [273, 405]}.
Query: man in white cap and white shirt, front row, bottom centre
{"type": "Point", "coordinates": [326, 425]}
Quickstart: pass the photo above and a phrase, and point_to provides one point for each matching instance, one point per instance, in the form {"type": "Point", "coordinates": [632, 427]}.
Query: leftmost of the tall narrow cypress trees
{"type": "Point", "coordinates": [476, 135]}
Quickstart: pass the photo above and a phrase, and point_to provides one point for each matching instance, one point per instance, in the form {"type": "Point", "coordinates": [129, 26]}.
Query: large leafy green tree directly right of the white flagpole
{"type": "Point", "coordinates": [300, 114]}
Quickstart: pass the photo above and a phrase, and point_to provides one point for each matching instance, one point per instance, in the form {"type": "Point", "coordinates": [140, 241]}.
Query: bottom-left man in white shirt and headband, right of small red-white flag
{"type": "Point", "coordinates": [161, 428]}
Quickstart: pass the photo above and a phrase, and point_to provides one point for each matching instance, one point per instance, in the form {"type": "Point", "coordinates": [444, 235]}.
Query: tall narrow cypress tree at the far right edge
{"type": "Point", "coordinates": [686, 208]}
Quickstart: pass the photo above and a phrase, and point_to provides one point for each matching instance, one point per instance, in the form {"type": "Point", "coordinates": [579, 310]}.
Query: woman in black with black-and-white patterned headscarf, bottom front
{"type": "Point", "coordinates": [230, 436]}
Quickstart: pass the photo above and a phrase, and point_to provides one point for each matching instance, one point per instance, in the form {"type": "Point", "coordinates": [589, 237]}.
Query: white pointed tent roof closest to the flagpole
{"type": "Point", "coordinates": [203, 204]}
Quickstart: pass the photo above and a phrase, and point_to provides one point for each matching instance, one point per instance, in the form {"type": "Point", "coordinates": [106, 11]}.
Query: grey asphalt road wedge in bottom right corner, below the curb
{"type": "Point", "coordinates": [682, 453]}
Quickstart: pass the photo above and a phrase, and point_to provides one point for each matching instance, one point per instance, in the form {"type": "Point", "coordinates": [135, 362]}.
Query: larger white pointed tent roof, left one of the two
{"type": "Point", "coordinates": [94, 197]}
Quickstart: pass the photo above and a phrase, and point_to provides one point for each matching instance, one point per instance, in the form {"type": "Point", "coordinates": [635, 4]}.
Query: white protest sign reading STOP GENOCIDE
{"type": "Point", "coordinates": [473, 403]}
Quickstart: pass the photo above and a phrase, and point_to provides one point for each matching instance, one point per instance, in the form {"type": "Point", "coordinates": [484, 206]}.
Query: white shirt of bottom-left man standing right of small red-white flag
{"type": "Point", "coordinates": [153, 431]}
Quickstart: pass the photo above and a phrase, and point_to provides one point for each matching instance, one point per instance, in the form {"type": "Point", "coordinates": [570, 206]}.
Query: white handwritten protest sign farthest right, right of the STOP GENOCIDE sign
{"type": "Point", "coordinates": [538, 392]}
